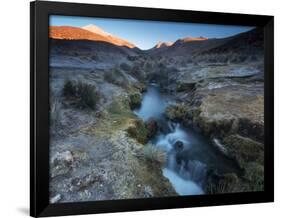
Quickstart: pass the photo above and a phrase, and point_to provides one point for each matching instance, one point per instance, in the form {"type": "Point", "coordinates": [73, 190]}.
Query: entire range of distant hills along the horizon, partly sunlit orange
{"type": "Point", "coordinates": [247, 46]}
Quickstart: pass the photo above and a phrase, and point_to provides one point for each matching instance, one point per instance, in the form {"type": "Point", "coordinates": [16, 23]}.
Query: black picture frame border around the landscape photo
{"type": "Point", "coordinates": [39, 108]}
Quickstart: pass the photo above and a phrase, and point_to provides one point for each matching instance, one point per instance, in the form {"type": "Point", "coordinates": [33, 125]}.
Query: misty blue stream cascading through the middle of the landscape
{"type": "Point", "coordinates": [189, 154]}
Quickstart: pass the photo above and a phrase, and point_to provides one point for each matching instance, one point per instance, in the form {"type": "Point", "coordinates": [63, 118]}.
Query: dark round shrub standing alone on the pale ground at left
{"type": "Point", "coordinates": [83, 94]}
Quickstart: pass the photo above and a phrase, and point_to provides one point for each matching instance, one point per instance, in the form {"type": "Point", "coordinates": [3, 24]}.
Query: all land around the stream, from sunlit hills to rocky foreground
{"type": "Point", "coordinates": [100, 148]}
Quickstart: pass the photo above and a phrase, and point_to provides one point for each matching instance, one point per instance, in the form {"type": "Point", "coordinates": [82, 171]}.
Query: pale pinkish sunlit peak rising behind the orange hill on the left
{"type": "Point", "coordinates": [111, 38]}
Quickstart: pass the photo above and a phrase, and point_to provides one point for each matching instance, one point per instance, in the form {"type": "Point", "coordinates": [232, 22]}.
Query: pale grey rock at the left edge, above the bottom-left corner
{"type": "Point", "coordinates": [61, 163]}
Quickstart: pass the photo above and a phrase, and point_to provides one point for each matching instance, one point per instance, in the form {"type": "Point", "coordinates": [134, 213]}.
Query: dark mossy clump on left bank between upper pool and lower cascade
{"type": "Point", "coordinates": [138, 131]}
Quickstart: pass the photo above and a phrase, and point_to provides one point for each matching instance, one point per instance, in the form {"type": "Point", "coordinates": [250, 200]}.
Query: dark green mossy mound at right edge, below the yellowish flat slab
{"type": "Point", "coordinates": [243, 149]}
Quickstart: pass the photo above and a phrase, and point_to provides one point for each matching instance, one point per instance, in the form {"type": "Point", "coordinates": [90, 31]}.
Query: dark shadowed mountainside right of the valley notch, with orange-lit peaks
{"type": "Point", "coordinates": [247, 43]}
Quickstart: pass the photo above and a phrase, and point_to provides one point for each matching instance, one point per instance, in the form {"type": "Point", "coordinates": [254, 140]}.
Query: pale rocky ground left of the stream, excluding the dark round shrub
{"type": "Point", "coordinates": [93, 157]}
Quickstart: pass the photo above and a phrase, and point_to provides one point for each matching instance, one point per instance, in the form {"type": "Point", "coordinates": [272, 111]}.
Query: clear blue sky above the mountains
{"type": "Point", "coordinates": [146, 34]}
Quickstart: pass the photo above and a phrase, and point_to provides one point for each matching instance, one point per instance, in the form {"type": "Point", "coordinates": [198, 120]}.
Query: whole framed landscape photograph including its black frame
{"type": "Point", "coordinates": [141, 109]}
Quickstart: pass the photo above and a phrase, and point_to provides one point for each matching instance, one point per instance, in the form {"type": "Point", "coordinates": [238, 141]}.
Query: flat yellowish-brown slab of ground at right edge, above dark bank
{"type": "Point", "coordinates": [231, 109]}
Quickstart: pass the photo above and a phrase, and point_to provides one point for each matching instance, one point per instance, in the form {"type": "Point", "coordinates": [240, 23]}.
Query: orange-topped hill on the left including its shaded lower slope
{"type": "Point", "coordinates": [78, 47]}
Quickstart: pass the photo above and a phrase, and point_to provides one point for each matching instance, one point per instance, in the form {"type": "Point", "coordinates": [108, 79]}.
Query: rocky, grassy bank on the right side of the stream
{"type": "Point", "coordinates": [229, 110]}
